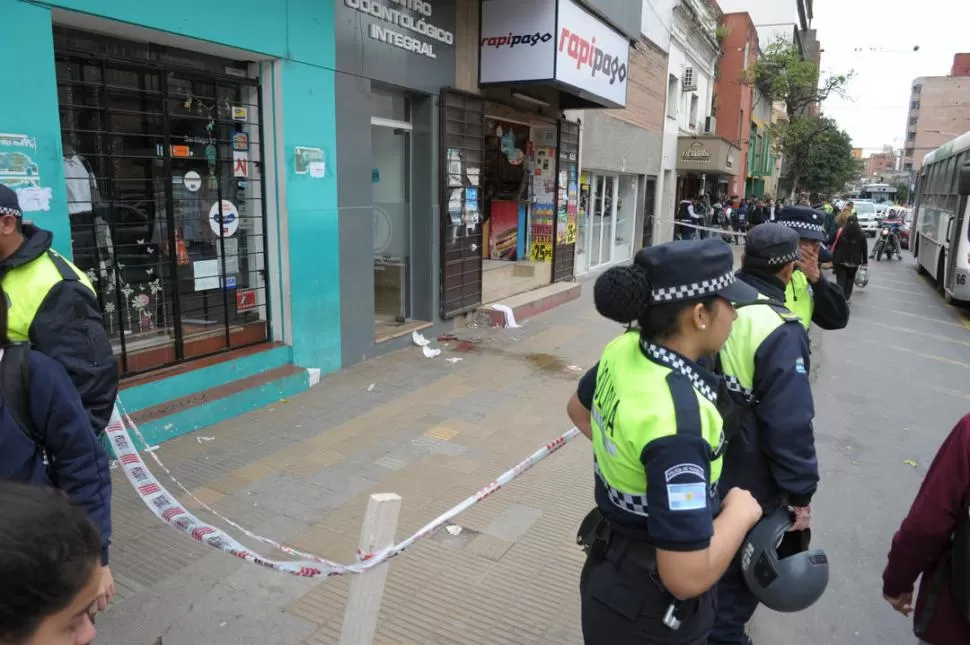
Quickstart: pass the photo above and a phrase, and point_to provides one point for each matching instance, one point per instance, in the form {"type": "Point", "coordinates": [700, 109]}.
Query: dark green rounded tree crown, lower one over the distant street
{"type": "Point", "coordinates": [828, 163]}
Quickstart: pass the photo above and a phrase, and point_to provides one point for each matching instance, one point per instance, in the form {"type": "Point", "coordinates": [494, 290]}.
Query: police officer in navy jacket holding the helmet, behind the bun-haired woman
{"type": "Point", "coordinates": [765, 363]}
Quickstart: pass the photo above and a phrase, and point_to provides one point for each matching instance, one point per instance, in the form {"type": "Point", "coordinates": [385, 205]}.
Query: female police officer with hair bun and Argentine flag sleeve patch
{"type": "Point", "coordinates": [655, 551]}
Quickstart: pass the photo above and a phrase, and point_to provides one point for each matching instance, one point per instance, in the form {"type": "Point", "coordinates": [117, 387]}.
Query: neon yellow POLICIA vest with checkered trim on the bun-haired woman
{"type": "Point", "coordinates": [647, 413]}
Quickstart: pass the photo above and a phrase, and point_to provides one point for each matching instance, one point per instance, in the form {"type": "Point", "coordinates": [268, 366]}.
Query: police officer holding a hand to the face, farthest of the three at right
{"type": "Point", "coordinates": [809, 295]}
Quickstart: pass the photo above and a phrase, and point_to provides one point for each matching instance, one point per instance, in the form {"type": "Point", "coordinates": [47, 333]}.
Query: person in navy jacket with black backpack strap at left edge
{"type": "Point", "coordinates": [46, 438]}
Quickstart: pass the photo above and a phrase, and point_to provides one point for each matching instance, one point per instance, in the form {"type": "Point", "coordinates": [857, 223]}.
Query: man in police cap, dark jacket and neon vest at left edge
{"type": "Point", "coordinates": [53, 305]}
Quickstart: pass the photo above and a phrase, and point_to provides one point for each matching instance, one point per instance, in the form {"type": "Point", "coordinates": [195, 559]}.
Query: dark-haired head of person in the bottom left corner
{"type": "Point", "coordinates": [50, 568]}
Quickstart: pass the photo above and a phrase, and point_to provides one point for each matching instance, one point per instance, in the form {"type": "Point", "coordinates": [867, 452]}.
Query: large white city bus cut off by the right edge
{"type": "Point", "coordinates": [940, 239]}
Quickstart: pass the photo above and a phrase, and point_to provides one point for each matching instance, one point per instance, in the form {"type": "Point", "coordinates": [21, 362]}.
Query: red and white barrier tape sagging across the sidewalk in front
{"type": "Point", "coordinates": [167, 508]}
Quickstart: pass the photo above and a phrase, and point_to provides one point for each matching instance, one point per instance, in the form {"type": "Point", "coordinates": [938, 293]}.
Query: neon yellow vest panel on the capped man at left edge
{"type": "Point", "coordinates": [27, 287]}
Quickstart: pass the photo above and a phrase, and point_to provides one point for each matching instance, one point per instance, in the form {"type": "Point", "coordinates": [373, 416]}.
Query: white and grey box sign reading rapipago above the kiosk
{"type": "Point", "coordinates": [556, 43]}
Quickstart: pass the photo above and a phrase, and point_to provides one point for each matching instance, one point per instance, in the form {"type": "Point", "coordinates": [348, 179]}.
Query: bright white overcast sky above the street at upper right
{"type": "Point", "coordinates": [875, 38]}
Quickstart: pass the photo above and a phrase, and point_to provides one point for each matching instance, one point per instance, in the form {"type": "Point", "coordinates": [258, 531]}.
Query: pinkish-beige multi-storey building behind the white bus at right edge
{"type": "Point", "coordinates": [937, 113]}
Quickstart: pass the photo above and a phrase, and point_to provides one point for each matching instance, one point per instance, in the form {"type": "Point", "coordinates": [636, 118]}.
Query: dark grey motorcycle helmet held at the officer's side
{"type": "Point", "coordinates": [778, 566]}
